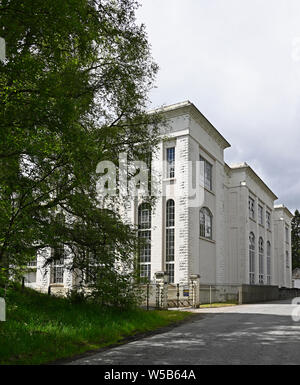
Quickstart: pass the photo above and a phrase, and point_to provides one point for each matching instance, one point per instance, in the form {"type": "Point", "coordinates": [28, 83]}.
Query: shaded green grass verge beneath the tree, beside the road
{"type": "Point", "coordinates": [41, 329]}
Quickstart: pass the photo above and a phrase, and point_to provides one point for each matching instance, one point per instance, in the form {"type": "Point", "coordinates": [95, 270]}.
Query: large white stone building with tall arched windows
{"type": "Point", "coordinates": [231, 233]}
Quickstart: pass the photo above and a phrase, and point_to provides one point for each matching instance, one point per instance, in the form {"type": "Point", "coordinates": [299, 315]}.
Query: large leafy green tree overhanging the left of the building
{"type": "Point", "coordinates": [73, 91]}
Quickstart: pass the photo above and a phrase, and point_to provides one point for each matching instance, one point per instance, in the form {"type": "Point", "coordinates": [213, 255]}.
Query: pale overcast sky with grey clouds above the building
{"type": "Point", "coordinates": [238, 61]}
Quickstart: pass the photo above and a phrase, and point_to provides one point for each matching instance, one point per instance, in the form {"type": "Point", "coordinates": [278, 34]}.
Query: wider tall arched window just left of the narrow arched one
{"type": "Point", "coordinates": [144, 234]}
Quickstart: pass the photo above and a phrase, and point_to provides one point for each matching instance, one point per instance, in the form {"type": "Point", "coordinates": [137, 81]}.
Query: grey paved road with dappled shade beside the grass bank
{"type": "Point", "coordinates": [246, 334]}
